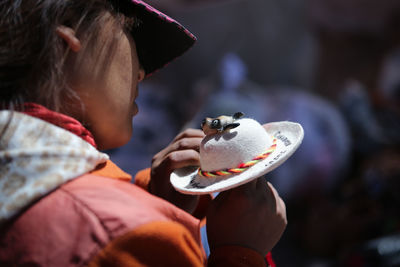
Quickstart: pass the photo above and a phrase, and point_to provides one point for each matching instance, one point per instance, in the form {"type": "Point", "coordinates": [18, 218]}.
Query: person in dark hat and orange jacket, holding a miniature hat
{"type": "Point", "coordinates": [69, 73]}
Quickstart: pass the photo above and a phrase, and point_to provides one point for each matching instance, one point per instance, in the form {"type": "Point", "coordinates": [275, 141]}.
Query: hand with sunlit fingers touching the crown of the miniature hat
{"type": "Point", "coordinates": [183, 151]}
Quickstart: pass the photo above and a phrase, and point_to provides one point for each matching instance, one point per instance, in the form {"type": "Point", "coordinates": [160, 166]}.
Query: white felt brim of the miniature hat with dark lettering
{"type": "Point", "coordinates": [289, 136]}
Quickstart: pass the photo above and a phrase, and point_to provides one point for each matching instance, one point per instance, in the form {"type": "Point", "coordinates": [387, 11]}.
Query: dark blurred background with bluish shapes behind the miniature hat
{"type": "Point", "coordinates": [334, 67]}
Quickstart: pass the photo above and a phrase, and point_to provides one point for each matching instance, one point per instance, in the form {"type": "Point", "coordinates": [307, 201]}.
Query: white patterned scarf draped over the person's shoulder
{"type": "Point", "coordinates": [35, 158]}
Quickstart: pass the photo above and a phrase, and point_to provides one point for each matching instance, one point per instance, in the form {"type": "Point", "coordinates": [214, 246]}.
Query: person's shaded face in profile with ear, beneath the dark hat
{"type": "Point", "coordinates": [105, 75]}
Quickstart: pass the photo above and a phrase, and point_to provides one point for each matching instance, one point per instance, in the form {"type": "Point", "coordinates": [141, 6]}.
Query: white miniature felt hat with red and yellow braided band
{"type": "Point", "coordinates": [238, 156]}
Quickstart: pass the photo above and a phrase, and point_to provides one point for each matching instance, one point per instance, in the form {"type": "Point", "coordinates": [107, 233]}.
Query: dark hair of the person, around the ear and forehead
{"type": "Point", "coordinates": [32, 55]}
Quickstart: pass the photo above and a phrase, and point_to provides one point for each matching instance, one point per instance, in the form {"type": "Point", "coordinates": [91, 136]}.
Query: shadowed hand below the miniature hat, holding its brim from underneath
{"type": "Point", "coordinates": [252, 215]}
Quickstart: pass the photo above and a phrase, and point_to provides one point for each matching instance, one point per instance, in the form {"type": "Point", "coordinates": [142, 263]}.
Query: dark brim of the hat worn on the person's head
{"type": "Point", "coordinates": [159, 39]}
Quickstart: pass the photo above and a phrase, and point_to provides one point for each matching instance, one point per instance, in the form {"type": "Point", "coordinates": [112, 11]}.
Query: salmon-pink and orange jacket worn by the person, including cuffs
{"type": "Point", "coordinates": [99, 221]}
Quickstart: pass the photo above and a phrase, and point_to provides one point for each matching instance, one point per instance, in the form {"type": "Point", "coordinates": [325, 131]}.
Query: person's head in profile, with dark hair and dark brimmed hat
{"type": "Point", "coordinates": [79, 58]}
